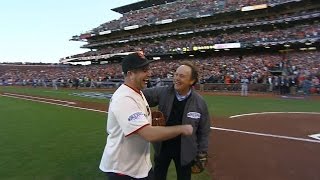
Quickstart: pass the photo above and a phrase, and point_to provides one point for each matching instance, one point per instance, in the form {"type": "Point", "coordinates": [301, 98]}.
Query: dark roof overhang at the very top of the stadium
{"type": "Point", "coordinates": [140, 5]}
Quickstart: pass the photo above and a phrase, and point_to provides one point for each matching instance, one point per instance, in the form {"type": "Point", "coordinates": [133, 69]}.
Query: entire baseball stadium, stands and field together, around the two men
{"type": "Point", "coordinates": [259, 72]}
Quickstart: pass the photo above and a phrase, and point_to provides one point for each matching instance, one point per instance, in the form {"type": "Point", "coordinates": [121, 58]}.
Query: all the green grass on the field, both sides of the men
{"type": "Point", "coordinates": [42, 141]}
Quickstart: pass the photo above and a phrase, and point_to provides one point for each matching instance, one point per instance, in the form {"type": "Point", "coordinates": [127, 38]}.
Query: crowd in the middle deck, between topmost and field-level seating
{"type": "Point", "coordinates": [164, 42]}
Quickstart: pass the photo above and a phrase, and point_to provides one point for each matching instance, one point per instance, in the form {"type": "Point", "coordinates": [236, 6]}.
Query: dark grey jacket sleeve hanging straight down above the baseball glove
{"type": "Point", "coordinates": [204, 129]}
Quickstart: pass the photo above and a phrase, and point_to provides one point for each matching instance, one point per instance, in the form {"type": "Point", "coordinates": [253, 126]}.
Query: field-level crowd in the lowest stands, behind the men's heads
{"type": "Point", "coordinates": [298, 67]}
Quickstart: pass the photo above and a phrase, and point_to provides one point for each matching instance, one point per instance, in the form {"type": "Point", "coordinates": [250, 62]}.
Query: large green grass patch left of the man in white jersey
{"type": "Point", "coordinates": [40, 141]}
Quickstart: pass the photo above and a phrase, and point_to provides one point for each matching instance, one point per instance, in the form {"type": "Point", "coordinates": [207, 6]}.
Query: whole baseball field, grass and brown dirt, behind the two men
{"type": "Point", "coordinates": [60, 134]}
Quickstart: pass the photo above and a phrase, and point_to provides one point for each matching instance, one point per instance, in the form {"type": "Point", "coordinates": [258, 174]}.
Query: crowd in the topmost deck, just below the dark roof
{"type": "Point", "coordinates": [179, 10]}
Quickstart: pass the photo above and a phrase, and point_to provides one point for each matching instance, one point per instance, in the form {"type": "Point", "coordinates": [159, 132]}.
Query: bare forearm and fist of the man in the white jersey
{"type": "Point", "coordinates": [161, 133]}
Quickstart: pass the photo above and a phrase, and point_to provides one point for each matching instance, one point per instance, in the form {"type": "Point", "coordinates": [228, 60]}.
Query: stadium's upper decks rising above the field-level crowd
{"type": "Point", "coordinates": [186, 29]}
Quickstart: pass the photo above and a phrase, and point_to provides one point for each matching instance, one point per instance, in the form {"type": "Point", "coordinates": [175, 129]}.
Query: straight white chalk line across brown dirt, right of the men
{"type": "Point", "coordinates": [266, 135]}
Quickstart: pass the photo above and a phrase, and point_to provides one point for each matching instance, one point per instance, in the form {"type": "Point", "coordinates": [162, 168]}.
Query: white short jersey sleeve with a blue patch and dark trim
{"type": "Point", "coordinates": [129, 115]}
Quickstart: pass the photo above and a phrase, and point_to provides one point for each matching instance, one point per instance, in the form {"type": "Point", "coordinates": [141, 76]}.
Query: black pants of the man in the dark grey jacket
{"type": "Point", "coordinates": [162, 162]}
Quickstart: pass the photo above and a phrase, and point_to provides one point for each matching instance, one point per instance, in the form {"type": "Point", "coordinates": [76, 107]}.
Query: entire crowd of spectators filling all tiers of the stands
{"type": "Point", "coordinates": [299, 69]}
